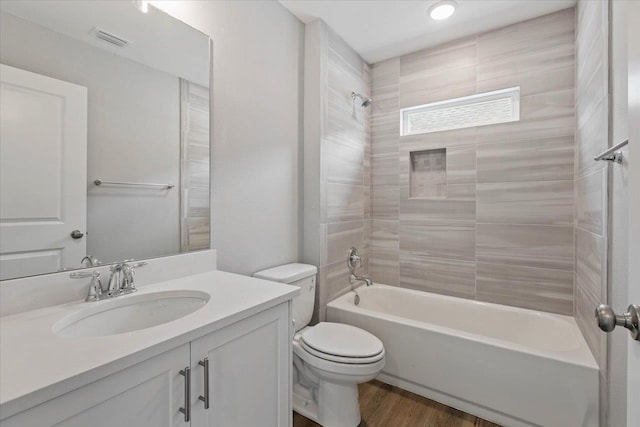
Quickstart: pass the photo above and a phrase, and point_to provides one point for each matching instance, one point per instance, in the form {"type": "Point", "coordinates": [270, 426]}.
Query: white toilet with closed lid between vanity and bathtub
{"type": "Point", "coordinates": [329, 359]}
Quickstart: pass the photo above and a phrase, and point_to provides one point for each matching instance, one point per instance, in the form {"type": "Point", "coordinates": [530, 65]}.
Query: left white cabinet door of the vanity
{"type": "Point", "coordinates": [144, 395]}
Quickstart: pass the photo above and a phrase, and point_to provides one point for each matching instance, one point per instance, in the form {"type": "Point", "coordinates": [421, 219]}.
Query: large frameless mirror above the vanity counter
{"type": "Point", "coordinates": [104, 144]}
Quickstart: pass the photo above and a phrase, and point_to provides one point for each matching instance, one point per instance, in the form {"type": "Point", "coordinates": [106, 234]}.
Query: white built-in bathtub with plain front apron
{"type": "Point", "coordinates": [512, 366]}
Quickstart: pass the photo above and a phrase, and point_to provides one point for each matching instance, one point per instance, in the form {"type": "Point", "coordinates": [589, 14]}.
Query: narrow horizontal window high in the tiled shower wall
{"type": "Point", "coordinates": [500, 106]}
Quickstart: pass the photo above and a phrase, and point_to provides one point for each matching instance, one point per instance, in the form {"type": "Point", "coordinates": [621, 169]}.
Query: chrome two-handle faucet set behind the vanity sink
{"type": "Point", "coordinates": [120, 282]}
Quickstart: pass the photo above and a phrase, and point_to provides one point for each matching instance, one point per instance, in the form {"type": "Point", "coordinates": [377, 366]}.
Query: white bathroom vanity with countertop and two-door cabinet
{"type": "Point", "coordinates": [227, 363]}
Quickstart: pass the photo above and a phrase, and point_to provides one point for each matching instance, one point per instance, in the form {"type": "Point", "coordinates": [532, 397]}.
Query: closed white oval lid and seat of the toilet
{"type": "Point", "coordinates": [341, 343]}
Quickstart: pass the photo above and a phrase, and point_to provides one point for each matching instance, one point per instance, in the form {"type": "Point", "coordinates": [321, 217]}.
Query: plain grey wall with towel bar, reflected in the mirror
{"type": "Point", "coordinates": [133, 135]}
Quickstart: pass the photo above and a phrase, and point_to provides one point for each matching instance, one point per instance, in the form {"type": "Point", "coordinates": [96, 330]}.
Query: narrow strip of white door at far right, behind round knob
{"type": "Point", "coordinates": [633, 347]}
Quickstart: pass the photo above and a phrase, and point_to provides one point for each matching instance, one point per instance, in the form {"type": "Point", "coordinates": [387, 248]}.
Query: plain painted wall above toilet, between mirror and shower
{"type": "Point", "coordinates": [256, 129]}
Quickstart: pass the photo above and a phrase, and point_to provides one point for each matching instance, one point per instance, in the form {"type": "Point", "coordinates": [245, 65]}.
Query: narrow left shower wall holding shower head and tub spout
{"type": "Point", "coordinates": [340, 147]}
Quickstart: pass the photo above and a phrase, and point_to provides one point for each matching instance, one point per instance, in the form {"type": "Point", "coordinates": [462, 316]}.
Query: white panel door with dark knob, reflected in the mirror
{"type": "Point", "coordinates": [43, 169]}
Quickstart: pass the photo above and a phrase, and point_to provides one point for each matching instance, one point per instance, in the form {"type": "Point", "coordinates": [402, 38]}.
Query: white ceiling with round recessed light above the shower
{"type": "Point", "coordinates": [382, 29]}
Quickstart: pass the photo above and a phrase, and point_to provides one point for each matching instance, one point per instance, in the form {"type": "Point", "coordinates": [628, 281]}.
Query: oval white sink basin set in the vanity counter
{"type": "Point", "coordinates": [130, 313]}
